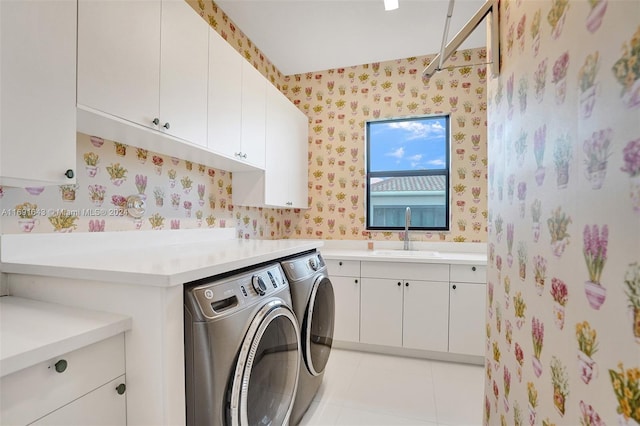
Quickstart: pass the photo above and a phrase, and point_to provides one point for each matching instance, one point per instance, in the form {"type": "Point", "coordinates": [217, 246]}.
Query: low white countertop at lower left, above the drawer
{"type": "Point", "coordinates": [32, 331]}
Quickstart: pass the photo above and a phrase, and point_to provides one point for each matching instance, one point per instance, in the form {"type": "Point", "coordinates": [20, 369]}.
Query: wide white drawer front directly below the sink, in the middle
{"type": "Point", "coordinates": [406, 271]}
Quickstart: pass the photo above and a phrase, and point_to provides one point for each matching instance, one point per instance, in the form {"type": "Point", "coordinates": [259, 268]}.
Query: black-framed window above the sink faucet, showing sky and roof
{"type": "Point", "coordinates": [408, 166]}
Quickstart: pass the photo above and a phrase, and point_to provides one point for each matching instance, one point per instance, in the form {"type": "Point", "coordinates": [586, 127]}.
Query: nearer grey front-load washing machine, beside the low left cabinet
{"type": "Point", "coordinates": [242, 349]}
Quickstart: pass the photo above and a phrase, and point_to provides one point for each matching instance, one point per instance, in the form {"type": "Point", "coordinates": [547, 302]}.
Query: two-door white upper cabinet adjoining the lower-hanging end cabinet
{"type": "Point", "coordinates": [237, 104]}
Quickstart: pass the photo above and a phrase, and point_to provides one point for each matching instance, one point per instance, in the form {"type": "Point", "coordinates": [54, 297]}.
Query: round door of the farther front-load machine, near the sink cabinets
{"type": "Point", "coordinates": [318, 325]}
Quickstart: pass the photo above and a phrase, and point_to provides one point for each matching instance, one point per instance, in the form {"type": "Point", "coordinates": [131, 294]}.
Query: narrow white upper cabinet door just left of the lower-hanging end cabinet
{"type": "Point", "coordinates": [254, 86]}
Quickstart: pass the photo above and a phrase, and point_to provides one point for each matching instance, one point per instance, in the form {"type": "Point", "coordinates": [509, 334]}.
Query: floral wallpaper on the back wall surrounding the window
{"type": "Point", "coordinates": [340, 101]}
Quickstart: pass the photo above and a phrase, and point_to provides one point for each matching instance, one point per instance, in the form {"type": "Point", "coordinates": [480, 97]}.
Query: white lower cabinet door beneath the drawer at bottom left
{"type": "Point", "coordinates": [101, 407]}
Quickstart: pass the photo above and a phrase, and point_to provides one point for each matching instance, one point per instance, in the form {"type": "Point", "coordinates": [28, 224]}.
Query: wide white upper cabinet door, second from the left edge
{"type": "Point", "coordinates": [119, 58]}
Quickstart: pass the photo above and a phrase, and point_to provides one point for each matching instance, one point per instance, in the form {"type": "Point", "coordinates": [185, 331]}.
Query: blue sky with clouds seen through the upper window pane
{"type": "Point", "coordinates": [408, 144]}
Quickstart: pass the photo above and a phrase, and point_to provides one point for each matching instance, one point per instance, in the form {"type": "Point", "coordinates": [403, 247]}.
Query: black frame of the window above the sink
{"type": "Point", "coordinates": [446, 172]}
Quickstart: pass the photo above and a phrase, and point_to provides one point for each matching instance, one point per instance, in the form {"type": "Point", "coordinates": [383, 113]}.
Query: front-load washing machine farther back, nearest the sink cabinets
{"type": "Point", "coordinates": [314, 306]}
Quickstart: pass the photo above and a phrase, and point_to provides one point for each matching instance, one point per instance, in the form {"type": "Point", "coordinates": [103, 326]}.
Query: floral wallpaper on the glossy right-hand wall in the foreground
{"type": "Point", "coordinates": [563, 314]}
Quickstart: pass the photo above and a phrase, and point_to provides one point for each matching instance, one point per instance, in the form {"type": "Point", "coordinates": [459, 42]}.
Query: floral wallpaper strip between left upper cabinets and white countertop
{"type": "Point", "coordinates": [177, 194]}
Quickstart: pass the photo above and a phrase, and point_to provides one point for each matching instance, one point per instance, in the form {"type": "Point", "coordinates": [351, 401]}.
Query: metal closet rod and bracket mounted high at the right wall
{"type": "Point", "coordinates": [491, 6]}
